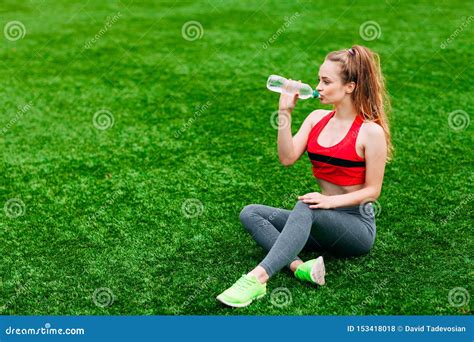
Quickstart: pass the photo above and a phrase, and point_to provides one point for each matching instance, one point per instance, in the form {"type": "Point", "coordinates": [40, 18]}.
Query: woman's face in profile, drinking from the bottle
{"type": "Point", "coordinates": [330, 85]}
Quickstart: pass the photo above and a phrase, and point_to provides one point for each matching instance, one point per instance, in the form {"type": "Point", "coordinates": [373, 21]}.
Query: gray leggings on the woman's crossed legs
{"type": "Point", "coordinates": [342, 232]}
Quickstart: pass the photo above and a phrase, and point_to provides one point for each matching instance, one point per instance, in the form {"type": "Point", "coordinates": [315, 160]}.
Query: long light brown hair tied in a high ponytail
{"type": "Point", "coordinates": [362, 66]}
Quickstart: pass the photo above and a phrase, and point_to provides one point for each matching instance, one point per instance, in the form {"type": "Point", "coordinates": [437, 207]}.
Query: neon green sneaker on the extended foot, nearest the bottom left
{"type": "Point", "coordinates": [243, 292]}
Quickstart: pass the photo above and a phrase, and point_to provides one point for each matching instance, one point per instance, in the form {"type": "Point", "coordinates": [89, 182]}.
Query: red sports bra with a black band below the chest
{"type": "Point", "coordinates": [339, 164]}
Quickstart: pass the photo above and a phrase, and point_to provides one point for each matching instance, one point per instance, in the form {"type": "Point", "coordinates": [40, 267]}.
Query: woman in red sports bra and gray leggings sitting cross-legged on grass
{"type": "Point", "coordinates": [348, 148]}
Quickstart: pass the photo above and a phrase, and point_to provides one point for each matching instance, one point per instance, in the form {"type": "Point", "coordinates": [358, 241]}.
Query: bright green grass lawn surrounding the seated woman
{"type": "Point", "coordinates": [103, 208]}
